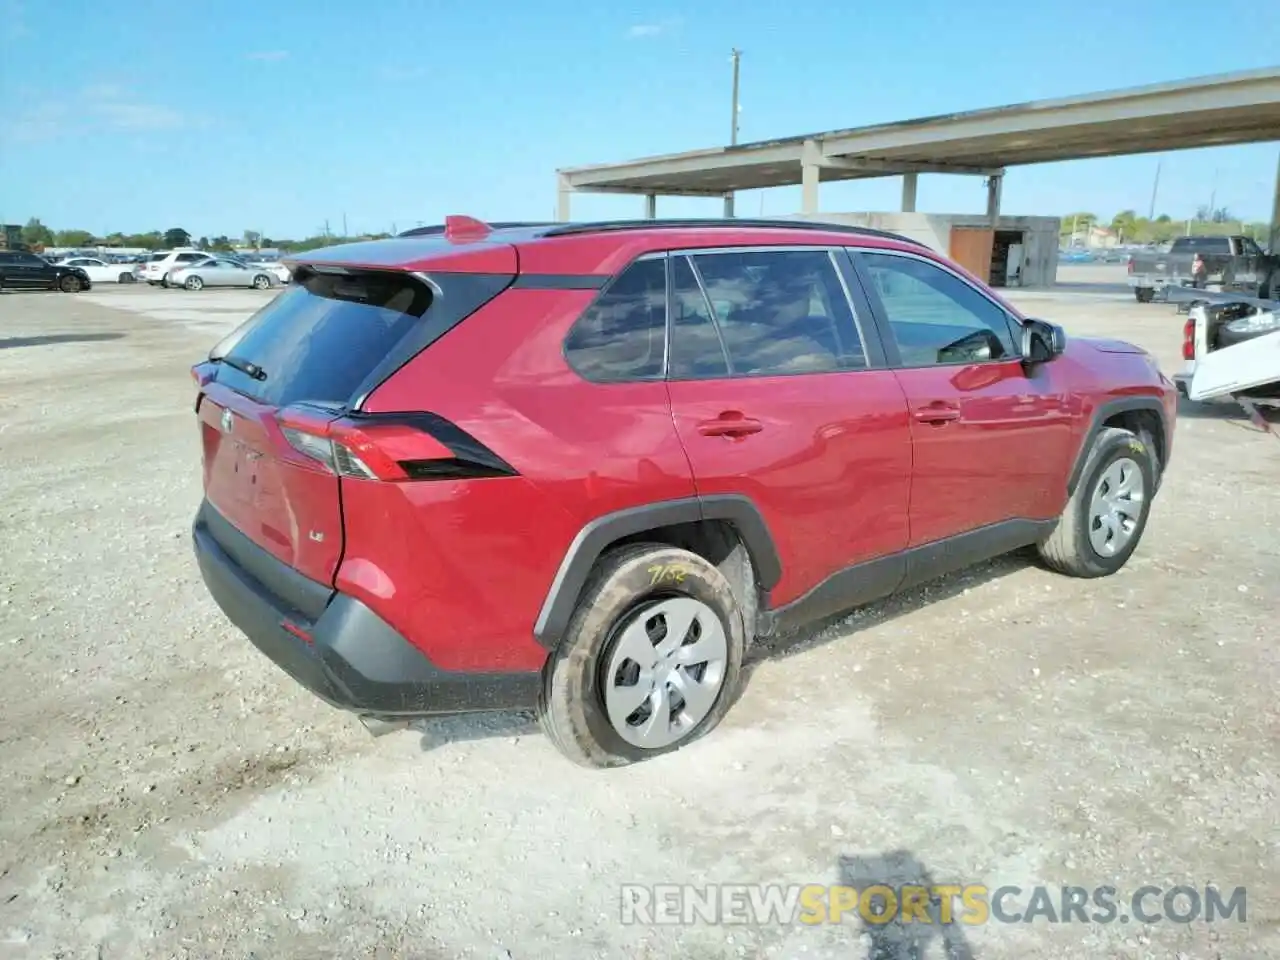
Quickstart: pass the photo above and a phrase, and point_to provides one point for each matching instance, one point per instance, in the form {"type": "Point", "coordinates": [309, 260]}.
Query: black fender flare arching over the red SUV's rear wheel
{"type": "Point", "coordinates": [602, 533]}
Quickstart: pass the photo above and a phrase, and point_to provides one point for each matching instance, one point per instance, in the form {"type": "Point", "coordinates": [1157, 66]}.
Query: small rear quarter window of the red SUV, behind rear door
{"type": "Point", "coordinates": [621, 336]}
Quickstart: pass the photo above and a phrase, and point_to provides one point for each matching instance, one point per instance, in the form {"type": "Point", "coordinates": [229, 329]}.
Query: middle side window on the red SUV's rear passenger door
{"type": "Point", "coordinates": [781, 312]}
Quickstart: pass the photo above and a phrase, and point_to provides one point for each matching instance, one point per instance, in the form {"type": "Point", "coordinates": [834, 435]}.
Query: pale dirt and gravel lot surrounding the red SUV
{"type": "Point", "coordinates": [170, 793]}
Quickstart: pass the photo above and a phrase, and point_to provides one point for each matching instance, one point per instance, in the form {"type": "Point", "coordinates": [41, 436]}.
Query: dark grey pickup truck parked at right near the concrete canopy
{"type": "Point", "coordinates": [1235, 264]}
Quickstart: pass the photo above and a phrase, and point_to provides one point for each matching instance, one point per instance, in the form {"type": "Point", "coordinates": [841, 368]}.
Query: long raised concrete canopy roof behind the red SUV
{"type": "Point", "coordinates": [1226, 109]}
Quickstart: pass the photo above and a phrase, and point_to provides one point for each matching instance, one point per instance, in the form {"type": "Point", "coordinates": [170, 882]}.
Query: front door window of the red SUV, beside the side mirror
{"type": "Point", "coordinates": [938, 318]}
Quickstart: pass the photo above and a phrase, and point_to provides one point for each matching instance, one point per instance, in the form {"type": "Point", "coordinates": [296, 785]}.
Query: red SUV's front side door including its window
{"type": "Point", "coordinates": [991, 441]}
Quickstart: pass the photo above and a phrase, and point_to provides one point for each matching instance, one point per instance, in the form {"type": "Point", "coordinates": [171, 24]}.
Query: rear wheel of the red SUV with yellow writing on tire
{"type": "Point", "coordinates": [634, 593]}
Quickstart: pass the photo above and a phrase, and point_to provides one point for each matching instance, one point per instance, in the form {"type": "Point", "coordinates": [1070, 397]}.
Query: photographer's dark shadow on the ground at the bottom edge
{"type": "Point", "coordinates": [913, 939]}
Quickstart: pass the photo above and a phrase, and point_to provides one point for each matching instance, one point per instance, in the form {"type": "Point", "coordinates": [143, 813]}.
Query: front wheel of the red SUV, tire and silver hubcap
{"type": "Point", "coordinates": [1118, 460]}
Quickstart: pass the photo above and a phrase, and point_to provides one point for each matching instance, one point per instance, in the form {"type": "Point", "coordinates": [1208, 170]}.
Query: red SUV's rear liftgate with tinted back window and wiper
{"type": "Point", "coordinates": [308, 354]}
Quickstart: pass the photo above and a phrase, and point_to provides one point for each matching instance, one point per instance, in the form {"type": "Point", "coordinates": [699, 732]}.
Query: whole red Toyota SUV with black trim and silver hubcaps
{"type": "Point", "coordinates": [579, 468]}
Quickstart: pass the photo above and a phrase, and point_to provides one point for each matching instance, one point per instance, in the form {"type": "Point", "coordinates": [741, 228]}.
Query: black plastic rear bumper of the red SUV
{"type": "Point", "coordinates": [355, 660]}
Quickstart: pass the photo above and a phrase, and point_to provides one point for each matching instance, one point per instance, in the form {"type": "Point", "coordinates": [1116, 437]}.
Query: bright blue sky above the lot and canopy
{"type": "Point", "coordinates": [282, 116]}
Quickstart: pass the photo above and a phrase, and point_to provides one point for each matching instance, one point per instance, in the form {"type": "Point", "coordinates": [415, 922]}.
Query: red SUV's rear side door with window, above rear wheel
{"type": "Point", "coordinates": [776, 395]}
